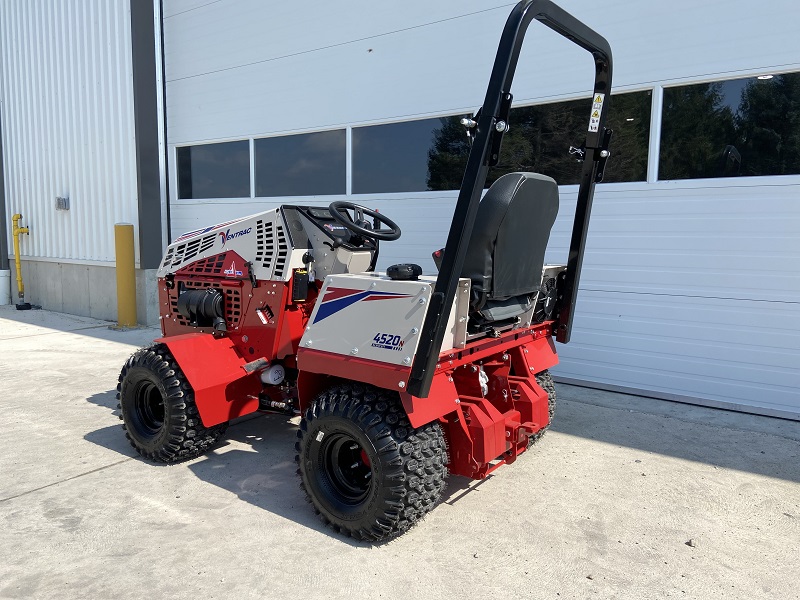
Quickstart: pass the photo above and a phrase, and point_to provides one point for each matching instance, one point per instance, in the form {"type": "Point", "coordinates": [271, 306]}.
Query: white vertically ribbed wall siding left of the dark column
{"type": "Point", "coordinates": [67, 121]}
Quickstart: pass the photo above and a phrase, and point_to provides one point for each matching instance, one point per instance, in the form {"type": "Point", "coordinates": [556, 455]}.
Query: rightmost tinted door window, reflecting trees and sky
{"type": "Point", "coordinates": [740, 127]}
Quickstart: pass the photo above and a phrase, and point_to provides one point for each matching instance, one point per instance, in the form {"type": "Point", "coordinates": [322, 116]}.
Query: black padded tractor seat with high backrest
{"type": "Point", "coordinates": [506, 250]}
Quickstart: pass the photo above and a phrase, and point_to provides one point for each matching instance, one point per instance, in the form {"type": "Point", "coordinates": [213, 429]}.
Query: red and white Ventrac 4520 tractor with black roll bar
{"type": "Point", "coordinates": [399, 378]}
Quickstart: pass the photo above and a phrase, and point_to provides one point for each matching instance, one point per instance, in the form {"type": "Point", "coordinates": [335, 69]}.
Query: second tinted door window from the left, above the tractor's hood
{"type": "Point", "coordinates": [301, 165]}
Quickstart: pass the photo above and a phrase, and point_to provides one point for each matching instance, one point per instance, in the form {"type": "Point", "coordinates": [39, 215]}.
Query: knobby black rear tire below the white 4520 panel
{"type": "Point", "coordinates": [367, 472]}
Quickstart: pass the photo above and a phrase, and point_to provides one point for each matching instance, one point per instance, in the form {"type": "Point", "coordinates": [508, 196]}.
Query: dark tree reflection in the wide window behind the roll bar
{"type": "Point", "coordinates": [539, 141]}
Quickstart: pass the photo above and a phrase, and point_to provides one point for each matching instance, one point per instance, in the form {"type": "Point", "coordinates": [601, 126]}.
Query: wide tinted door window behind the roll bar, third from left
{"type": "Point", "coordinates": [431, 154]}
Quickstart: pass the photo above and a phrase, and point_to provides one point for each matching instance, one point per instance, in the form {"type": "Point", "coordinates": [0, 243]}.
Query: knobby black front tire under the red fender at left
{"type": "Point", "coordinates": [157, 408]}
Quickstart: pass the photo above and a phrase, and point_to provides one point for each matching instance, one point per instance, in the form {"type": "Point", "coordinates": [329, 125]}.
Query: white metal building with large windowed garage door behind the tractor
{"type": "Point", "coordinates": [691, 282]}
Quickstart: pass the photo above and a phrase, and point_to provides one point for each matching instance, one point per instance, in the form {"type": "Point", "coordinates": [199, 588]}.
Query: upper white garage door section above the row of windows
{"type": "Point", "coordinates": [236, 69]}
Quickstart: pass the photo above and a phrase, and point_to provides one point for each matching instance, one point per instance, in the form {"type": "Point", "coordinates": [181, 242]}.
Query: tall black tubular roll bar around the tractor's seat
{"type": "Point", "coordinates": [505, 65]}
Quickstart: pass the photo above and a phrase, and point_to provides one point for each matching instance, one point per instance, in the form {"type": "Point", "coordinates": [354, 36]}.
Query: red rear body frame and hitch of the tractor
{"type": "Point", "coordinates": [483, 430]}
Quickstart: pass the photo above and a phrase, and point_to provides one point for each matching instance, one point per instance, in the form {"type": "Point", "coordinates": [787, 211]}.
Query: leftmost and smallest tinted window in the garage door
{"type": "Point", "coordinates": [214, 171]}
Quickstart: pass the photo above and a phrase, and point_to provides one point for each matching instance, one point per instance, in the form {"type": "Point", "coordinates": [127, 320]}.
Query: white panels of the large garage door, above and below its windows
{"type": "Point", "coordinates": [690, 289]}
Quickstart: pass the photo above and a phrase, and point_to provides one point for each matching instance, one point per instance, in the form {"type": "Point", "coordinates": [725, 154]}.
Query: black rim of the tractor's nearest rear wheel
{"type": "Point", "coordinates": [347, 468]}
